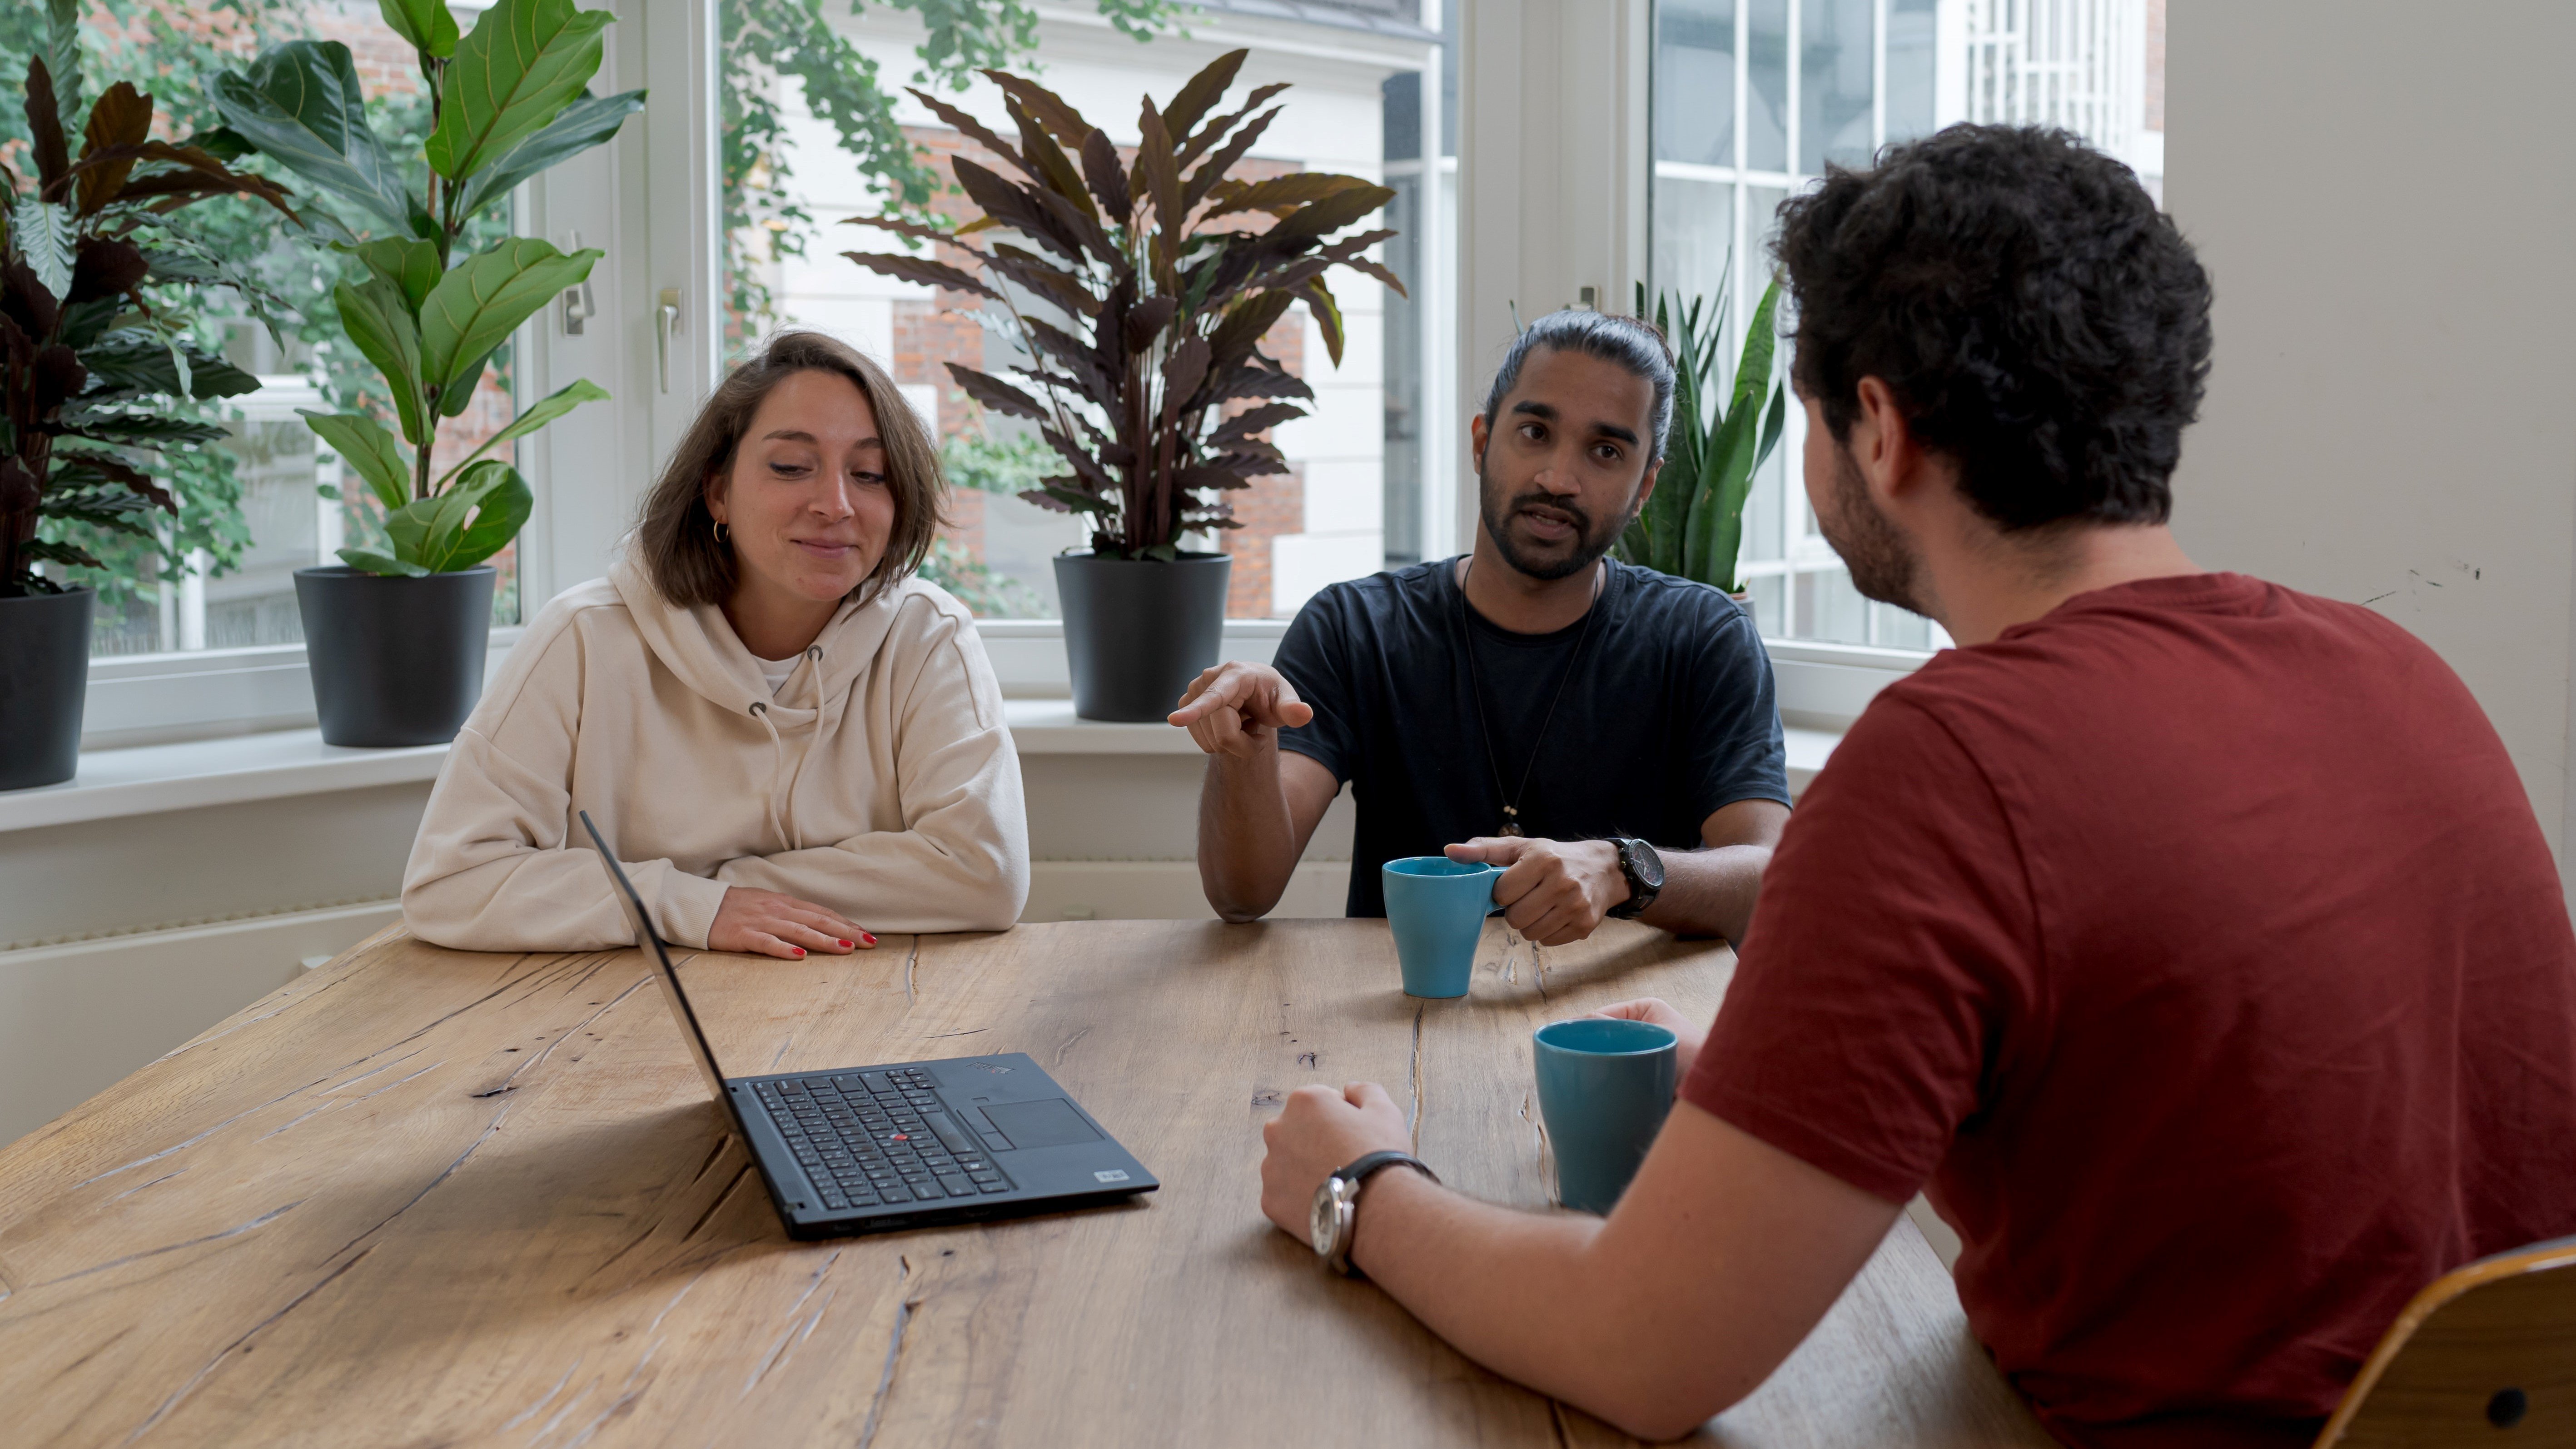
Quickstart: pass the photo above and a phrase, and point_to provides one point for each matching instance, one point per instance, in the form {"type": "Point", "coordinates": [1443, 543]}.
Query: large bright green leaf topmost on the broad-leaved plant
{"type": "Point", "coordinates": [511, 79]}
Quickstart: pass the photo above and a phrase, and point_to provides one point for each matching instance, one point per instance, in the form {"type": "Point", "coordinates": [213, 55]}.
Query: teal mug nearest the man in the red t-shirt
{"type": "Point", "coordinates": [1604, 1089]}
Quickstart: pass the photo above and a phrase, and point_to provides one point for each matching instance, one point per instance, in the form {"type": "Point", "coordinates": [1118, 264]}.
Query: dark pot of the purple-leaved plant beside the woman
{"type": "Point", "coordinates": [1140, 630]}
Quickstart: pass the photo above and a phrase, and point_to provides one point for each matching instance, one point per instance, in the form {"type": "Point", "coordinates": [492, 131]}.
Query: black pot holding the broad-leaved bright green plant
{"type": "Point", "coordinates": [398, 661]}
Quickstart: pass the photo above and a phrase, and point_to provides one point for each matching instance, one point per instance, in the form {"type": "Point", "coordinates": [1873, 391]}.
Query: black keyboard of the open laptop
{"type": "Point", "coordinates": [877, 1138]}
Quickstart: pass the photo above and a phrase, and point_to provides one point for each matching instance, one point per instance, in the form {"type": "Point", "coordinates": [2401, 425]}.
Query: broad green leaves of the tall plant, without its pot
{"type": "Point", "coordinates": [506, 104]}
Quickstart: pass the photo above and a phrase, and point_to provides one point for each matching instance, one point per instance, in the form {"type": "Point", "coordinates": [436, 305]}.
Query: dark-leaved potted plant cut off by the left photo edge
{"type": "Point", "coordinates": [86, 373]}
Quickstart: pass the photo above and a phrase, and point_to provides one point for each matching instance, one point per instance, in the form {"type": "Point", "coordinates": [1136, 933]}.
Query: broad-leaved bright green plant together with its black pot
{"type": "Point", "coordinates": [398, 636]}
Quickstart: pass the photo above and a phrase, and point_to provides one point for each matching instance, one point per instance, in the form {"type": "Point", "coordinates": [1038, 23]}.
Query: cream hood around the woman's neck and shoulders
{"type": "Point", "coordinates": [705, 654]}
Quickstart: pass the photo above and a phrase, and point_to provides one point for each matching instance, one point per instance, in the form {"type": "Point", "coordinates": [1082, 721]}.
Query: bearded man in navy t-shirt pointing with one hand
{"type": "Point", "coordinates": [1601, 731]}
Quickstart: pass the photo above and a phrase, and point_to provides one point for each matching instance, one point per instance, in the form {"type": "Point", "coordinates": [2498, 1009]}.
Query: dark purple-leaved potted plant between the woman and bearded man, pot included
{"type": "Point", "coordinates": [1153, 391]}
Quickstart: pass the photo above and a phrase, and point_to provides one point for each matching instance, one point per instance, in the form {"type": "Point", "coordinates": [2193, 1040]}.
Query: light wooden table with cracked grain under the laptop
{"type": "Point", "coordinates": [442, 1198]}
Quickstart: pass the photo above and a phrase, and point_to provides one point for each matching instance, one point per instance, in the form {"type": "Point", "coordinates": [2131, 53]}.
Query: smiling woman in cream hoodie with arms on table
{"type": "Point", "coordinates": [787, 736]}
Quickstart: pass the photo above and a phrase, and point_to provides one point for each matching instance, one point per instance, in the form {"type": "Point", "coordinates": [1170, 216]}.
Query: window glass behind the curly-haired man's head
{"type": "Point", "coordinates": [1753, 99]}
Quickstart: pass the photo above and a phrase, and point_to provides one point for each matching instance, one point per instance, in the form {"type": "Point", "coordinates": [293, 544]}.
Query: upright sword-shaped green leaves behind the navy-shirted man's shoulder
{"type": "Point", "coordinates": [1694, 527]}
